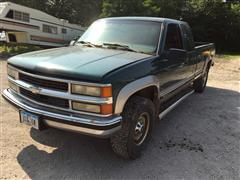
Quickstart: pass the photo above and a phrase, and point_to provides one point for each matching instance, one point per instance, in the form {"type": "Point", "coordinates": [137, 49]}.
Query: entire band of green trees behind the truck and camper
{"type": "Point", "coordinates": [211, 20]}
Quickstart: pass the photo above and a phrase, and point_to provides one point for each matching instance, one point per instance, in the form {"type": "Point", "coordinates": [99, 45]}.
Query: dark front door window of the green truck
{"type": "Point", "coordinates": [174, 37]}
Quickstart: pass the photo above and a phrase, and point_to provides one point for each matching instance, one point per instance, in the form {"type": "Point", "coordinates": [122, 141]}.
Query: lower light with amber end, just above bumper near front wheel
{"type": "Point", "coordinates": [104, 109]}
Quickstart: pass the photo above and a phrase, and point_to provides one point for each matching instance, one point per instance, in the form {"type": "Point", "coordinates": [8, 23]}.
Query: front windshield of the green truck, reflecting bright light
{"type": "Point", "coordinates": [140, 36]}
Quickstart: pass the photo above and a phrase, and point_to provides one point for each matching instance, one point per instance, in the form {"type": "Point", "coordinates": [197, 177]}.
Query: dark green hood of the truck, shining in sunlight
{"type": "Point", "coordinates": [76, 62]}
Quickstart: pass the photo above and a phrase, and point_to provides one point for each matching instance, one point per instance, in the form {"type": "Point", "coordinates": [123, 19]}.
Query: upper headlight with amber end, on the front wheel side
{"type": "Point", "coordinates": [92, 91]}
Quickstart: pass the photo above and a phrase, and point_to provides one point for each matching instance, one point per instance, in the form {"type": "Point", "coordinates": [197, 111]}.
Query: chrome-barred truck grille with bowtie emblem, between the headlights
{"type": "Point", "coordinates": [53, 92]}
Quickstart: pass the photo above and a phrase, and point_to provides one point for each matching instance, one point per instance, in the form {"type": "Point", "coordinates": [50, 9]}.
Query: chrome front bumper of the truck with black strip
{"type": "Point", "coordinates": [102, 127]}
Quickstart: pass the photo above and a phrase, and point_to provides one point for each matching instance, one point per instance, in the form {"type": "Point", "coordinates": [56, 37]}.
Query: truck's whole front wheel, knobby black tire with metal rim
{"type": "Point", "coordinates": [138, 119]}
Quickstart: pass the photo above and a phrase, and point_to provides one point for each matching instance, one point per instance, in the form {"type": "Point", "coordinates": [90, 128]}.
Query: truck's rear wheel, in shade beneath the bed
{"type": "Point", "coordinates": [199, 84]}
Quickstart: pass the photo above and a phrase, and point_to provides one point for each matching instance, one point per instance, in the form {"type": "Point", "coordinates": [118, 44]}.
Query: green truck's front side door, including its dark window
{"type": "Point", "coordinates": [175, 59]}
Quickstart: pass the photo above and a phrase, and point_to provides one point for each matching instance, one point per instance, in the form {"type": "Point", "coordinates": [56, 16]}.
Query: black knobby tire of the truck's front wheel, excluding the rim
{"type": "Point", "coordinates": [122, 142]}
